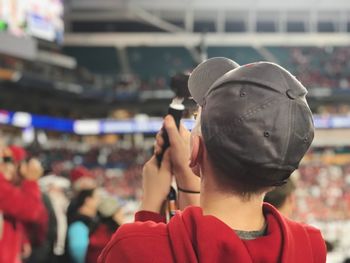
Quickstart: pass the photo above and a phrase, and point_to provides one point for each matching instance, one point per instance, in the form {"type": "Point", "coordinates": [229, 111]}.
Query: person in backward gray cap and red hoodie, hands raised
{"type": "Point", "coordinates": [253, 128]}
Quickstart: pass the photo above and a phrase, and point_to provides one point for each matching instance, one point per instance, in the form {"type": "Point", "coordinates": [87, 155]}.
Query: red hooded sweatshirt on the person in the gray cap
{"type": "Point", "coordinates": [192, 237]}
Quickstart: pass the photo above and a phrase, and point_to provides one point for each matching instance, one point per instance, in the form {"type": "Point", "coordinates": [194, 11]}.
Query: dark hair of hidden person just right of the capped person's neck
{"type": "Point", "coordinates": [278, 196]}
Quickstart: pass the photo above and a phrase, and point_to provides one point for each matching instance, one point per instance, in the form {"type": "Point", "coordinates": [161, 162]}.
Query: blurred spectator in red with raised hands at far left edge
{"type": "Point", "coordinates": [19, 205]}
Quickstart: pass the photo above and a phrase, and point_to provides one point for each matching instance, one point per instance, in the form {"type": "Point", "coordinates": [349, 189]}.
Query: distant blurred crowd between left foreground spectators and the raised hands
{"type": "Point", "coordinates": [115, 169]}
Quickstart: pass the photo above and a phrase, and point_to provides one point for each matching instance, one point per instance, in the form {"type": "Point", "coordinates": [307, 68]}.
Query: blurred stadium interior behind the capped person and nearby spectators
{"type": "Point", "coordinates": [86, 83]}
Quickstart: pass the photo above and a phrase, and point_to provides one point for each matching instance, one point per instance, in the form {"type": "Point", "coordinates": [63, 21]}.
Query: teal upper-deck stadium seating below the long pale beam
{"type": "Point", "coordinates": [152, 67]}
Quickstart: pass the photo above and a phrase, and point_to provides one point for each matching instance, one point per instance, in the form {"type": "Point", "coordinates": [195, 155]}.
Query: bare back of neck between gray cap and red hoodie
{"type": "Point", "coordinates": [233, 210]}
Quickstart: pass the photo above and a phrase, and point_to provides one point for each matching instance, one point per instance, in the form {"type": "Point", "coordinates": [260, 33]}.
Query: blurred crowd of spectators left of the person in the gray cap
{"type": "Point", "coordinates": [67, 213]}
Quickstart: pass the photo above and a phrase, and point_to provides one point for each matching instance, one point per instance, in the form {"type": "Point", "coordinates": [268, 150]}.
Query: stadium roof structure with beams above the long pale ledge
{"type": "Point", "coordinates": [208, 16]}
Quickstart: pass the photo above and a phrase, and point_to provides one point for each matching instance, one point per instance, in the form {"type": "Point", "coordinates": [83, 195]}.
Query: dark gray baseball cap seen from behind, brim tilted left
{"type": "Point", "coordinates": [255, 115]}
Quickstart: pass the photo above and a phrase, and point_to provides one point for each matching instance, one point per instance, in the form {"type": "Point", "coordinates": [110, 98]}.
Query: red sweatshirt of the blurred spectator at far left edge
{"type": "Point", "coordinates": [18, 205]}
